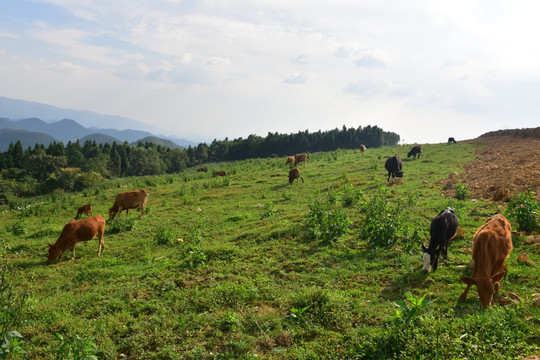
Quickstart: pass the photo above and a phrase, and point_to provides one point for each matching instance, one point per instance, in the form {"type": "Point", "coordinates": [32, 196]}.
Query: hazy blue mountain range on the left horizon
{"type": "Point", "coordinates": [69, 125]}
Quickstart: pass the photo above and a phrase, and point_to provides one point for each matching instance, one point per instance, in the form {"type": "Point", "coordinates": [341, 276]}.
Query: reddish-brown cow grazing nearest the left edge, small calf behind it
{"type": "Point", "coordinates": [75, 231]}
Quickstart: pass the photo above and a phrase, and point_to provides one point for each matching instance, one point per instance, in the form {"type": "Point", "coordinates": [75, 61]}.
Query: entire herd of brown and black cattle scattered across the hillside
{"type": "Point", "coordinates": [491, 245]}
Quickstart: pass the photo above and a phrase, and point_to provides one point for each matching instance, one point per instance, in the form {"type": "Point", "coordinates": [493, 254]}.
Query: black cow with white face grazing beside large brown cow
{"type": "Point", "coordinates": [443, 228]}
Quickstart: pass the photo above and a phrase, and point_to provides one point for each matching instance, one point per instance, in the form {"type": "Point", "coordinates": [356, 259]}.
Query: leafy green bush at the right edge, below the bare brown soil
{"type": "Point", "coordinates": [525, 210]}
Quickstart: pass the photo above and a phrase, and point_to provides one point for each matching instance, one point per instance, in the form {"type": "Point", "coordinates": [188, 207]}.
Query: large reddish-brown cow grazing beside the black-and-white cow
{"type": "Point", "coordinates": [491, 247]}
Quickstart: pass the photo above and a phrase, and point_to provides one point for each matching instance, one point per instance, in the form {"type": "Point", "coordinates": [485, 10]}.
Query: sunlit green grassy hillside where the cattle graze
{"type": "Point", "coordinates": [247, 266]}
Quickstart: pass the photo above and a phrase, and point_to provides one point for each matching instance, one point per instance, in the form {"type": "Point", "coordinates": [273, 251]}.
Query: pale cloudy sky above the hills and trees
{"type": "Point", "coordinates": [205, 69]}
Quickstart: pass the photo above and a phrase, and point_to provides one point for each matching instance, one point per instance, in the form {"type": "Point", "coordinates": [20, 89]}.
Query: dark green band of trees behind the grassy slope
{"type": "Point", "coordinates": [71, 167]}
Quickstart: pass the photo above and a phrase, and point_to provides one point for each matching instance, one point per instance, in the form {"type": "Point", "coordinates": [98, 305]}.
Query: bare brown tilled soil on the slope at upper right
{"type": "Point", "coordinates": [508, 163]}
